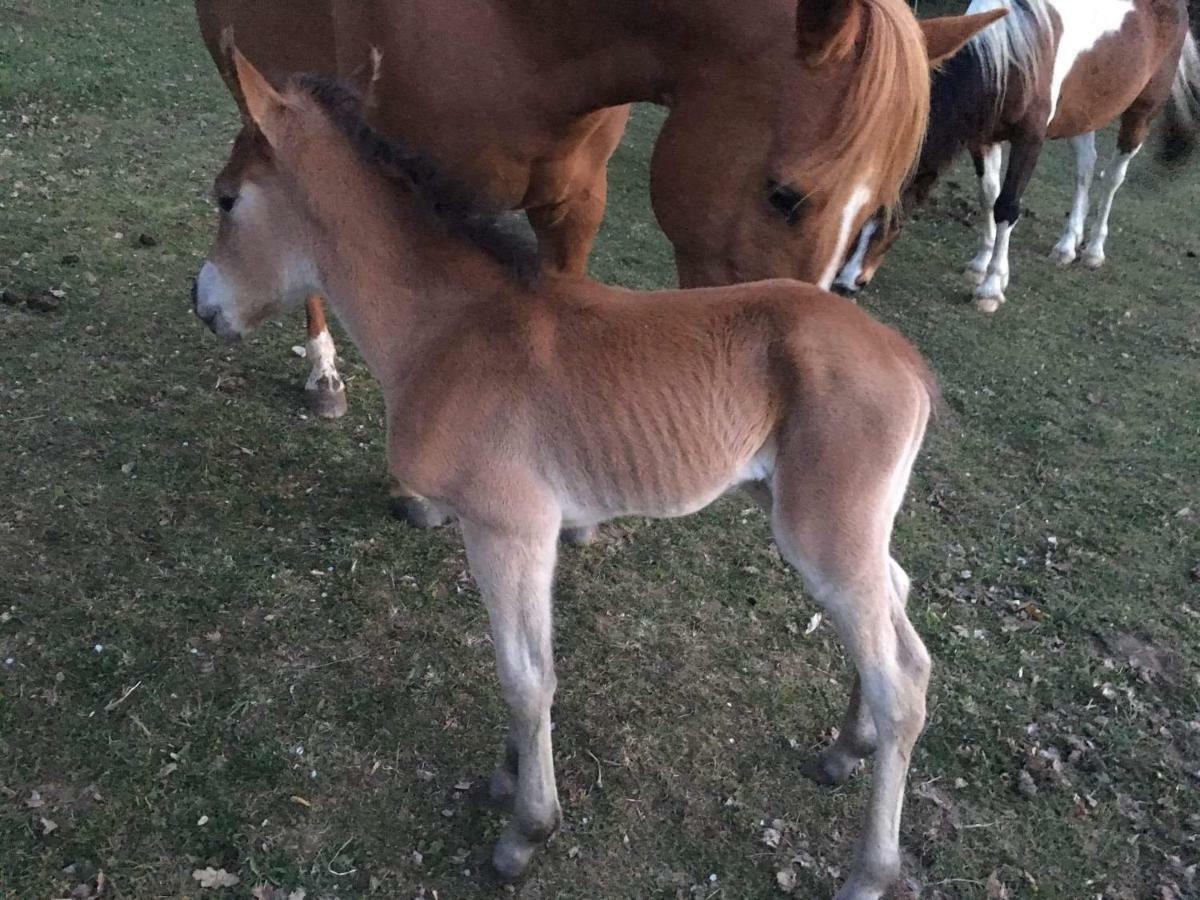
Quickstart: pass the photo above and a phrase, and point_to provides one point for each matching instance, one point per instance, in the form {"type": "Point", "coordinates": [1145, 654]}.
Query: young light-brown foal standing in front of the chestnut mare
{"type": "Point", "coordinates": [521, 404]}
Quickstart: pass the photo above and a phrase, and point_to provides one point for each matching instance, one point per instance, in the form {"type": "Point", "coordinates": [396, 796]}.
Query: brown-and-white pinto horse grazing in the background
{"type": "Point", "coordinates": [1053, 69]}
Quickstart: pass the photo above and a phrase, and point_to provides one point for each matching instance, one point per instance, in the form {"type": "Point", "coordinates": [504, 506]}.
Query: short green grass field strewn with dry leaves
{"type": "Point", "coordinates": [217, 650]}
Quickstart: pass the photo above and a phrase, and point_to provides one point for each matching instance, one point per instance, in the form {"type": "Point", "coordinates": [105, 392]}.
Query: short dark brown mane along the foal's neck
{"type": "Point", "coordinates": [449, 203]}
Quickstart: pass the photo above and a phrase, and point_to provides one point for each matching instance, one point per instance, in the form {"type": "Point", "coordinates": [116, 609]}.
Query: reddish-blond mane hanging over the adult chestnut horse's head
{"type": "Point", "coordinates": [878, 134]}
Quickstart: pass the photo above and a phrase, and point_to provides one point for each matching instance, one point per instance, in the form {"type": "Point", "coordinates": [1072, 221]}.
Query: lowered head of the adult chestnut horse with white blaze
{"type": "Point", "coordinates": [772, 170]}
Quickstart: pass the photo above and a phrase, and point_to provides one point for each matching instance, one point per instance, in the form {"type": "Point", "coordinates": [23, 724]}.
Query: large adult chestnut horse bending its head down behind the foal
{"type": "Point", "coordinates": [791, 121]}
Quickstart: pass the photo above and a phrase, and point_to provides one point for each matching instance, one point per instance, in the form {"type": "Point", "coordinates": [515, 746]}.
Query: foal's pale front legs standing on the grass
{"type": "Point", "coordinates": [514, 569]}
